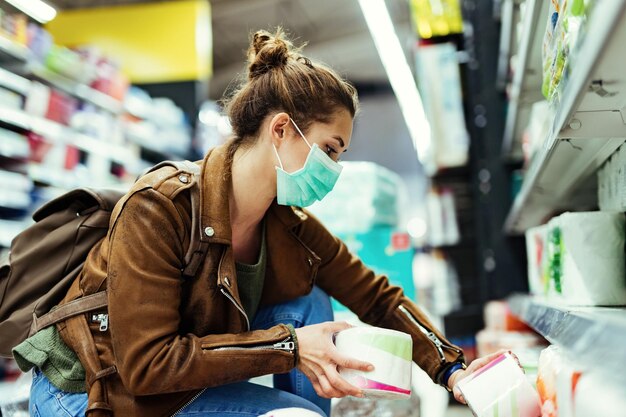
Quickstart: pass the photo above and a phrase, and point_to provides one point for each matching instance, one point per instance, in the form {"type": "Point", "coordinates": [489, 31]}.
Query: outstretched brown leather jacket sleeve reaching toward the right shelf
{"type": "Point", "coordinates": [343, 276]}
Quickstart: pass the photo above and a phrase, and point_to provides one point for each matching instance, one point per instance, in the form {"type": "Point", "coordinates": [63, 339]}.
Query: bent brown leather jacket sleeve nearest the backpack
{"type": "Point", "coordinates": [144, 293]}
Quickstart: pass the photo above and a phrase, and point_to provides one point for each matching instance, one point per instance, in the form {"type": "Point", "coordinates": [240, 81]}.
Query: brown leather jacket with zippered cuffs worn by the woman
{"type": "Point", "coordinates": [158, 343]}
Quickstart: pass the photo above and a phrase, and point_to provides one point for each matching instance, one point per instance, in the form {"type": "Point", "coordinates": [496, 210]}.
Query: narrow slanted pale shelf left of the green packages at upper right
{"type": "Point", "coordinates": [526, 87]}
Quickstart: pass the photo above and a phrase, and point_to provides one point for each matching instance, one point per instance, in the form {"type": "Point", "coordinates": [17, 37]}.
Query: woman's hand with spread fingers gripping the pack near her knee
{"type": "Point", "coordinates": [319, 359]}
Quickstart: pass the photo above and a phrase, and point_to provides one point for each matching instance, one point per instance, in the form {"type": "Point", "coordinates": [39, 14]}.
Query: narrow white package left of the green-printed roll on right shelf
{"type": "Point", "coordinates": [536, 252]}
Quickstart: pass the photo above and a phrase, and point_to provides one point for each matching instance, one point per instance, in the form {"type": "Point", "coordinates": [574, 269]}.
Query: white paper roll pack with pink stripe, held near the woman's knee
{"type": "Point", "coordinates": [391, 354]}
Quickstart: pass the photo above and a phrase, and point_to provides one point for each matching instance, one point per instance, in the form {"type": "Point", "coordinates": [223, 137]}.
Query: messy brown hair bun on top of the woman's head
{"type": "Point", "coordinates": [267, 51]}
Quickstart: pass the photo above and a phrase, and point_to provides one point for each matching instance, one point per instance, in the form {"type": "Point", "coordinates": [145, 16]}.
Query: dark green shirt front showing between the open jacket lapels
{"type": "Point", "coordinates": [250, 279]}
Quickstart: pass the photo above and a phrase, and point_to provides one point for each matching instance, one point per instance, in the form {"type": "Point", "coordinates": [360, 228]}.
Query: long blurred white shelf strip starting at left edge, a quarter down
{"type": "Point", "coordinates": [57, 132]}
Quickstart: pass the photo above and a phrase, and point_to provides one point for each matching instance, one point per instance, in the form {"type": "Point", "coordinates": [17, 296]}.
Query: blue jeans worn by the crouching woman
{"type": "Point", "coordinates": [242, 399]}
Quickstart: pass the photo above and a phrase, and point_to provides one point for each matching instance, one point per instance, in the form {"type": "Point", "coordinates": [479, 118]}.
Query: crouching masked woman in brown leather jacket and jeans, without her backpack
{"type": "Point", "coordinates": [259, 304]}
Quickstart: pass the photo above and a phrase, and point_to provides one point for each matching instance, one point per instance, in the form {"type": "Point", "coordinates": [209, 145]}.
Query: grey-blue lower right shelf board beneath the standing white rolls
{"type": "Point", "coordinates": [595, 336]}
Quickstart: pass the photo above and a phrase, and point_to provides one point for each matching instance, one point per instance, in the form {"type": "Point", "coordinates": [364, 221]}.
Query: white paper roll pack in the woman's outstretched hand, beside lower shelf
{"type": "Point", "coordinates": [500, 389]}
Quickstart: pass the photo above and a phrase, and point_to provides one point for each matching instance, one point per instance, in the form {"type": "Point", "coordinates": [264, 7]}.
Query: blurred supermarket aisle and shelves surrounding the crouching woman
{"type": "Point", "coordinates": [481, 123]}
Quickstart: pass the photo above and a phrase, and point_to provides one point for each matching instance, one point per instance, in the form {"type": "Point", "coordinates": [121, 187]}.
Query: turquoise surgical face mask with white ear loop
{"type": "Point", "coordinates": [311, 182]}
